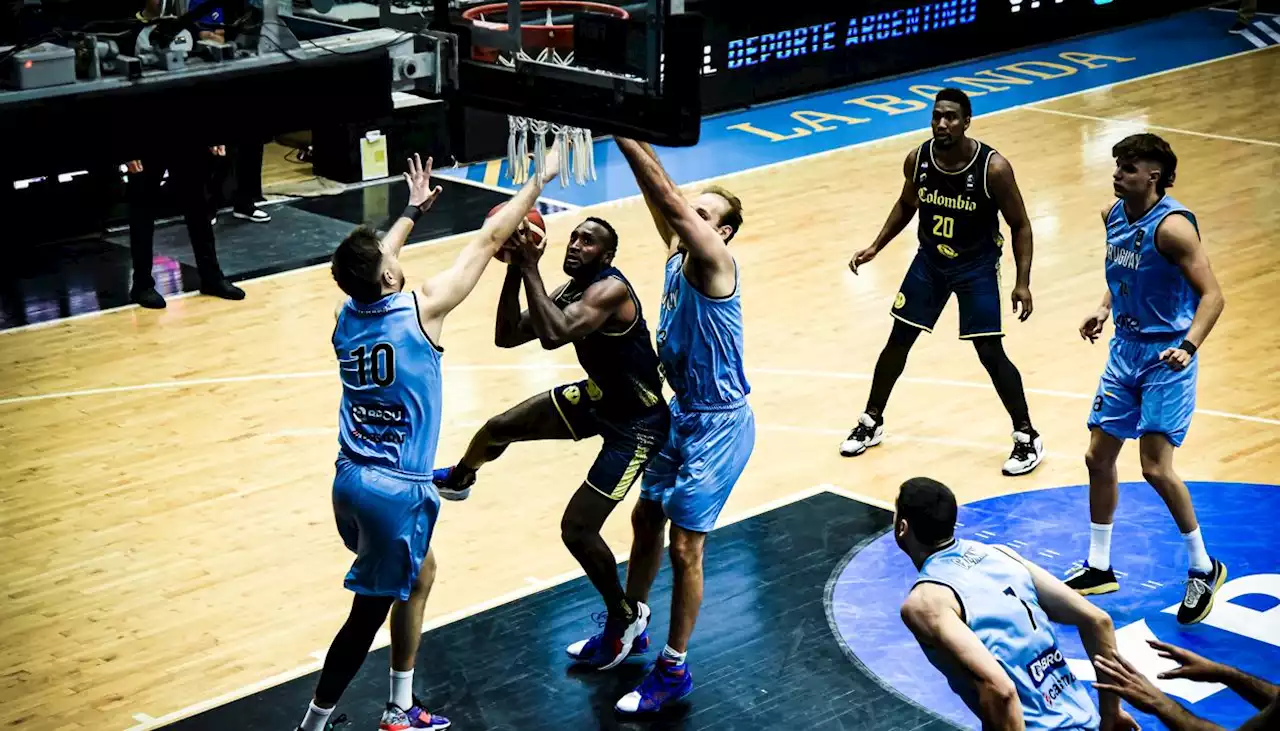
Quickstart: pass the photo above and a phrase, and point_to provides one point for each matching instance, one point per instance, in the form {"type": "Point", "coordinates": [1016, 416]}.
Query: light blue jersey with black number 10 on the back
{"type": "Point", "coordinates": [391, 386]}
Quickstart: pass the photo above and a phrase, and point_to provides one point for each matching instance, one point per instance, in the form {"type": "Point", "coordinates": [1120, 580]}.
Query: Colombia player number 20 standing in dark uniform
{"type": "Point", "coordinates": [961, 186]}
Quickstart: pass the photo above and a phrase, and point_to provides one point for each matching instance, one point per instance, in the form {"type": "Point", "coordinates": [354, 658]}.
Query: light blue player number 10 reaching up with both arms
{"type": "Point", "coordinates": [387, 342]}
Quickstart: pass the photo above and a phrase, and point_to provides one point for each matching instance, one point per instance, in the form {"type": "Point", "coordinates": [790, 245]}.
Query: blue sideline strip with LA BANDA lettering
{"type": "Point", "coordinates": [806, 126]}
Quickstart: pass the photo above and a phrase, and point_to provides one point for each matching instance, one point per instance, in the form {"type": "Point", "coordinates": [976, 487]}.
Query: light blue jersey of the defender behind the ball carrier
{"type": "Point", "coordinates": [701, 344]}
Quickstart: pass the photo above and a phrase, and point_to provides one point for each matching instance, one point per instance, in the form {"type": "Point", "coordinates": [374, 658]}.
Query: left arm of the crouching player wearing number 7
{"type": "Point", "coordinates": [934, 616]}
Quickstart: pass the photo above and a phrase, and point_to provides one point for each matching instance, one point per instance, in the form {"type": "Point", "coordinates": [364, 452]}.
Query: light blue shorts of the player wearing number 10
{"type": "Point", "coordinates": [386, 519]}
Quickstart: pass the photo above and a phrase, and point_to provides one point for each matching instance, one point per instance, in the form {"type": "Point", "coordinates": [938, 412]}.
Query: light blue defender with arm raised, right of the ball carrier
{"type": "Point", "coordinates": [712, 424]}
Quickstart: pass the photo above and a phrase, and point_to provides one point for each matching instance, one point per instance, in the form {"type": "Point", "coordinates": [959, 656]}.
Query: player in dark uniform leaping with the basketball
{"type": "Point", "coordinates": [621, 401]}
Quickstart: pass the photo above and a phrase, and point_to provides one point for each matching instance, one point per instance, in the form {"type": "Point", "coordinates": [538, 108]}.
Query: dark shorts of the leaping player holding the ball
{"type": "Point", "coordinates": [630, 442]}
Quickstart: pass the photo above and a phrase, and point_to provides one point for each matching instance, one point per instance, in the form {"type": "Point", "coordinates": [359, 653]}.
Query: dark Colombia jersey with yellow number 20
{"type": "Point", "coordinates": [959, 220]}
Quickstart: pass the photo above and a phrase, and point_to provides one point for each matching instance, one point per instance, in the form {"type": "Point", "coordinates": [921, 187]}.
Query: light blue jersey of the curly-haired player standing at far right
{"type": "Point", "coordinates": [1150, 295]}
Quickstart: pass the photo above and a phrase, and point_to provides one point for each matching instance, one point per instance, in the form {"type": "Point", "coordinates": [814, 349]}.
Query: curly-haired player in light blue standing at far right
{"type": "Point", "coordinates": [1165, 300]}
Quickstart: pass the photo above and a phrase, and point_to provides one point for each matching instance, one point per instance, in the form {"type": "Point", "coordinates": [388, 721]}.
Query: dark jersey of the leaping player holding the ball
{"type": "Point", "coordinates": [620, 363]}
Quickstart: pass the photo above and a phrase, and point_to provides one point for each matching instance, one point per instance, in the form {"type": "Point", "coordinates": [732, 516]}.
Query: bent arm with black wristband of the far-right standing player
{"type": "Point", "coordinates": [1180, 243]}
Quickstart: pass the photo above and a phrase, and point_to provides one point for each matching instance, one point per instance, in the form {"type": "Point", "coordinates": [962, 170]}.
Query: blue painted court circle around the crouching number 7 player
{"type": "Point", "coordinates": [1052, 528]}
